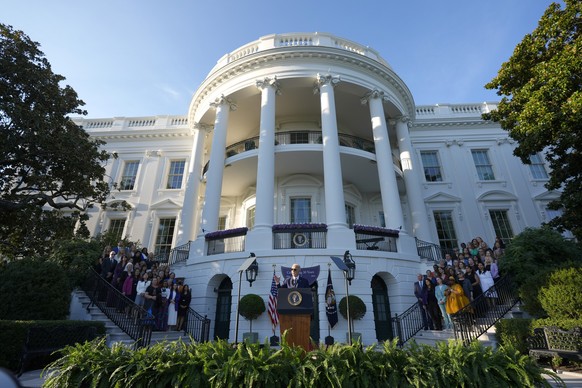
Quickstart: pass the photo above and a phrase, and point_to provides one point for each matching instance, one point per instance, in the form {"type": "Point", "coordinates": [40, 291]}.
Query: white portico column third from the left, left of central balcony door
{"type": "Point", "coordinates": [266, 162]}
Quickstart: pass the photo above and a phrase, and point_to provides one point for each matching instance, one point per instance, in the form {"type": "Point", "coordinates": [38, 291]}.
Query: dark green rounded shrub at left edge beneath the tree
{"type": "Point", "coordinates": [37, 290]}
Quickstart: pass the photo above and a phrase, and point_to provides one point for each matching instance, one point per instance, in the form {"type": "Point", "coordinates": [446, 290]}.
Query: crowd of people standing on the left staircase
{"type": "Point", "coordinates": [150, 285]}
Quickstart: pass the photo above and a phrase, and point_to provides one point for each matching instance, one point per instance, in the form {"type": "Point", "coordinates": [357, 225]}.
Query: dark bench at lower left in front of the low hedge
{"type": "Point", "coordinates": [44, 341]}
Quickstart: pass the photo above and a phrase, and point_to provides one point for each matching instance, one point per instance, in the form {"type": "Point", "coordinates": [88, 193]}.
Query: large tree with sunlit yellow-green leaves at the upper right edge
{"type": "Point", "coordinates": [541, 107]}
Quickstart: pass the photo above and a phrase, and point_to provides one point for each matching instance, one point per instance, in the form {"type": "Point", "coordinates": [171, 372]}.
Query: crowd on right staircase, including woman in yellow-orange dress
{"type": "Point", "coordinates": [459, 278]}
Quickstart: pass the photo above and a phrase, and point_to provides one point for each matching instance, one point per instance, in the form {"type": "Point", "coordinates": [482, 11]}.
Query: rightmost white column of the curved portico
{"type": "Point", "coordinates": [410, 170]}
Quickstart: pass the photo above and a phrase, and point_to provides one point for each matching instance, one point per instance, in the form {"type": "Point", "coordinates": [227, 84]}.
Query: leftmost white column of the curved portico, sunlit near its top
{"type": "Point", "coordinates": [186, 231]}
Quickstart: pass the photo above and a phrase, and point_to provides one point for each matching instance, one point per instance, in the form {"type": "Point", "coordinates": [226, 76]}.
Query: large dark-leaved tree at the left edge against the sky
{"type": "Point", "coordinates": [51, 171]}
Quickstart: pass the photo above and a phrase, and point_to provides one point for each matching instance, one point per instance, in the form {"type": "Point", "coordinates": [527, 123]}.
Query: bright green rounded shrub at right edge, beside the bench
{"type": "Point", "coordinates": [561, 298]}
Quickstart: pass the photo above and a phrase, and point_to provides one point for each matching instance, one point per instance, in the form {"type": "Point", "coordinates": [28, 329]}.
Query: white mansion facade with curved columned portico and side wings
{"type": "Point", "coordinates": [299, 128]}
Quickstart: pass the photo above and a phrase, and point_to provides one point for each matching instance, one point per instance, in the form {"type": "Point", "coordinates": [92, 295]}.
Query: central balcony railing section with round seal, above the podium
{"type": "Point", "coordinates": [300, 236]}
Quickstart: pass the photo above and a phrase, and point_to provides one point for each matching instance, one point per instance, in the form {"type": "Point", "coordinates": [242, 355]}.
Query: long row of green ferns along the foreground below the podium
{"type": "Point", "coordinates": [219, 364]}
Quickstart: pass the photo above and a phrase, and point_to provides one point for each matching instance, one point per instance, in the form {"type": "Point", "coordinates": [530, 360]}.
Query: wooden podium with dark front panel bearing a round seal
{"type": "Point", "coordinates": [295, 308]}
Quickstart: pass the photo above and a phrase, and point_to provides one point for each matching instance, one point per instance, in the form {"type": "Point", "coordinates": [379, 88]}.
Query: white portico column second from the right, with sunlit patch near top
{"type": "Point", "coordinates": [388, 186]}
